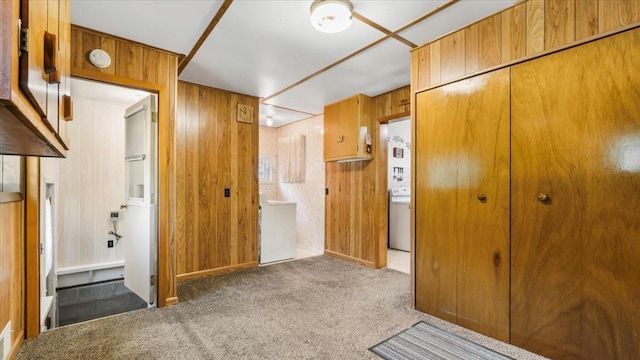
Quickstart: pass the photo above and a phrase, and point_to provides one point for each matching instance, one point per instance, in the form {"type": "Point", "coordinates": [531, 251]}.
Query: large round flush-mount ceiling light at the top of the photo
{"type": "Point", "coordinates": [331, 16]}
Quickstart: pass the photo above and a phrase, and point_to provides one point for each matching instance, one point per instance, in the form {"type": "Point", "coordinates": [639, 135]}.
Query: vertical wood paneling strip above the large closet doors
{"type": "Point", "coordinates": [524, 30]}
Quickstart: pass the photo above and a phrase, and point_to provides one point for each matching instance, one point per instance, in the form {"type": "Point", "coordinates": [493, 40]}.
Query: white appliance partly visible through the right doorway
{"type": "Point", "coordinates": [399, 215]}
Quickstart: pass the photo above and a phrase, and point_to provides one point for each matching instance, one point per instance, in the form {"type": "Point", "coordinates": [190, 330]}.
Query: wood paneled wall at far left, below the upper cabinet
{"type": "Point", "coordinates": [12, 270]}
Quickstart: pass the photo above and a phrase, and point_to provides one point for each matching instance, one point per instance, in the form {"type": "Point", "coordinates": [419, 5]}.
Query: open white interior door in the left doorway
{"type": "Point", "coordinates": [140, 236]}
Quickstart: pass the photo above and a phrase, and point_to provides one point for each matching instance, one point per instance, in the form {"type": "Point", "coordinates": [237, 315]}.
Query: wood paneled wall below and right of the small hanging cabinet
{"type": "Point", "coordinates": [356, 207]}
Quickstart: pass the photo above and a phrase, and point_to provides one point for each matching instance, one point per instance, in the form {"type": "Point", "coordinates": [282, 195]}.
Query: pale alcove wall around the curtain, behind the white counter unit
{"type": "Point", "coordinates": [309, 196]}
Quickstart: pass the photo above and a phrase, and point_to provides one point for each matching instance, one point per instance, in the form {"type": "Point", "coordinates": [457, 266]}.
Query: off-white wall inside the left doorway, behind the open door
{"type": "Point", "coordinates": [91, 184]}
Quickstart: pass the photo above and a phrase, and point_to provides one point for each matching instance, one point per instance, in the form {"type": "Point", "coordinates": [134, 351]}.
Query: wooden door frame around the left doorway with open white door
{"type": "Point", "coordinates": [32, 207]}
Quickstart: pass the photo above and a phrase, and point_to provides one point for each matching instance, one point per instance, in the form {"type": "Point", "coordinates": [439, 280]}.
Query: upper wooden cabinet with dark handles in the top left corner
{"type": "Point", "coordinates": [34, 77]}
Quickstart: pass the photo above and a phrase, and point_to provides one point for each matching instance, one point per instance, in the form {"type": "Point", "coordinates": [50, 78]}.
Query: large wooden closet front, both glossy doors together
{"type": "Point", "coordinates": [570, 217]}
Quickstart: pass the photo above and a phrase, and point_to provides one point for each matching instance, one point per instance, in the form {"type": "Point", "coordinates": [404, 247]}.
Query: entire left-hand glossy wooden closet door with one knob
{"type": "Point", "coordinates": [462, 199]}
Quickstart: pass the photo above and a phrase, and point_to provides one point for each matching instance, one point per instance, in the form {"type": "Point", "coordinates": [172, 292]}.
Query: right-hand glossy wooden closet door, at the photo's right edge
{"type": "Point", "coordinates": [576, 140]}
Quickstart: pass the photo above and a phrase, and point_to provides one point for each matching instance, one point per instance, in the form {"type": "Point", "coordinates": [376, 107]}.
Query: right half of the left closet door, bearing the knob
{"type": "Point", "coordinates": [483, 203]}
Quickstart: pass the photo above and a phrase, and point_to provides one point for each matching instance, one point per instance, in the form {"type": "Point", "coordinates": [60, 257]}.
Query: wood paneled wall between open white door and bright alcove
{"type": "Point", "coordinates": [215, 152]}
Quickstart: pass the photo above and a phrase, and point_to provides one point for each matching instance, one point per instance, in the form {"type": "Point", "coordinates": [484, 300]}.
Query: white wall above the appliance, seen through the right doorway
{"type": "Point", "coordinates": [399, 136]}
